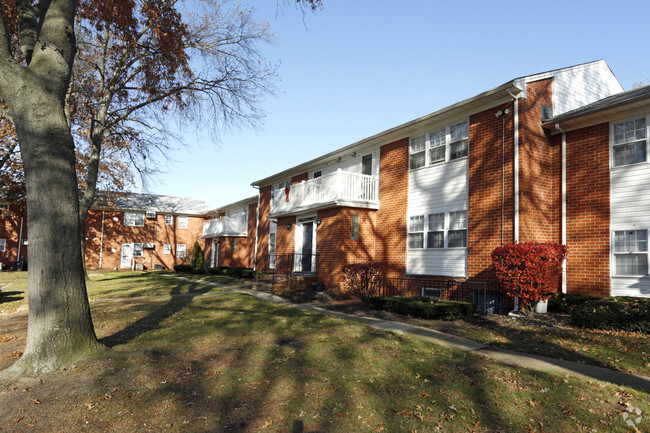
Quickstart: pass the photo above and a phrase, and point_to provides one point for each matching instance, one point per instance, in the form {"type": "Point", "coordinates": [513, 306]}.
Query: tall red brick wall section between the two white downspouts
{"type": "Point", "coordinates": [539, 169]}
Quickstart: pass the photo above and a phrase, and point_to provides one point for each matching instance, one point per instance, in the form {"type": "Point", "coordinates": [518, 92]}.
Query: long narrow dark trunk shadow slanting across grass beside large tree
{"type": "Point", "coordinates": [153, 320]}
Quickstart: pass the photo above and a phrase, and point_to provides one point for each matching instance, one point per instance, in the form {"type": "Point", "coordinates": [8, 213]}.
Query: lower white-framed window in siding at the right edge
{"type": "Point", "coordinates": [631, 252]}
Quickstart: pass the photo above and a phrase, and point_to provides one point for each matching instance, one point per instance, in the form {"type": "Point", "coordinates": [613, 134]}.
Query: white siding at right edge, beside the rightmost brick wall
{"type": "Point", "coordinates": [630, 210]}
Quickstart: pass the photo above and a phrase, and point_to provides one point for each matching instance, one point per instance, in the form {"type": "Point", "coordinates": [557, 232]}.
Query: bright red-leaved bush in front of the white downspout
{"type": "Point", "coordinates": [529, 270]}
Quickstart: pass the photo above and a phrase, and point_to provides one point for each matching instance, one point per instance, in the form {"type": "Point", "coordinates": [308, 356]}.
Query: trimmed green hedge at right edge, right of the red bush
{"type": "Point", "coordinates": [614, 314]}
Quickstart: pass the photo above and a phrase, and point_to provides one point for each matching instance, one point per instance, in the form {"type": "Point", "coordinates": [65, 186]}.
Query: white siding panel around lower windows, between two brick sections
{"type": "Point", "coordinates": [438, 189]}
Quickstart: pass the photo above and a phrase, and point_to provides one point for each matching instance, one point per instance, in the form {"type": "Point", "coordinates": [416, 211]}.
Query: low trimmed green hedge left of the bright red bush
{"type": "Point", "coordinates": [425, 308]}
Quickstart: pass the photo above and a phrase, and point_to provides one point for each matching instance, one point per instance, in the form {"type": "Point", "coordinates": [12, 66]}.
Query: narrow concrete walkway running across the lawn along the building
{"type": "Point", "coordinates": [503, 356]}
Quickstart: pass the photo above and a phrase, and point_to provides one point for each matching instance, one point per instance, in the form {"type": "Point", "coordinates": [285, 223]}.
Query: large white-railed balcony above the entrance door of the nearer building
{"type": "Point", "coordinates": [340, 188]}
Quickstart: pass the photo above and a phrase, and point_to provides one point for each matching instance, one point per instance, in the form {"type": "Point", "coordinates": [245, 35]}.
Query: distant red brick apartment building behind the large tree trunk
{"type": "Point", "coordinates": [138, 231]}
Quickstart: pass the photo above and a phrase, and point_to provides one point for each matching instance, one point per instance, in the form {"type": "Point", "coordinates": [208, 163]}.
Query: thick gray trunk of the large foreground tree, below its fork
{"type": "Point", "coordinates": [60, 326]}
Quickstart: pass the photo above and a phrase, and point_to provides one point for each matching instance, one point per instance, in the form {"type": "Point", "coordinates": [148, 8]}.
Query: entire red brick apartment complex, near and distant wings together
{"type": "Point", "coordinates": [560, 156]}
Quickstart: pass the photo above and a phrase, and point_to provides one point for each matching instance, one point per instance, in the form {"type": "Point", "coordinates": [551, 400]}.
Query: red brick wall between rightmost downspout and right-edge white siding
{"type": "Point", "coordinates": [588, 210]}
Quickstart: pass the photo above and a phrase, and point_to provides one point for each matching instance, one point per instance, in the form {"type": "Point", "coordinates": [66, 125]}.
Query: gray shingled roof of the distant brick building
{"type": "Point", "coordinates": [160, 204]}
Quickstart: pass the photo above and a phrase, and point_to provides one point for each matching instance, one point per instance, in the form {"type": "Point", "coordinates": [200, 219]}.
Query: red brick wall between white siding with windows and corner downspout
{"type": "Point", "coordinates": [490, 189]}
